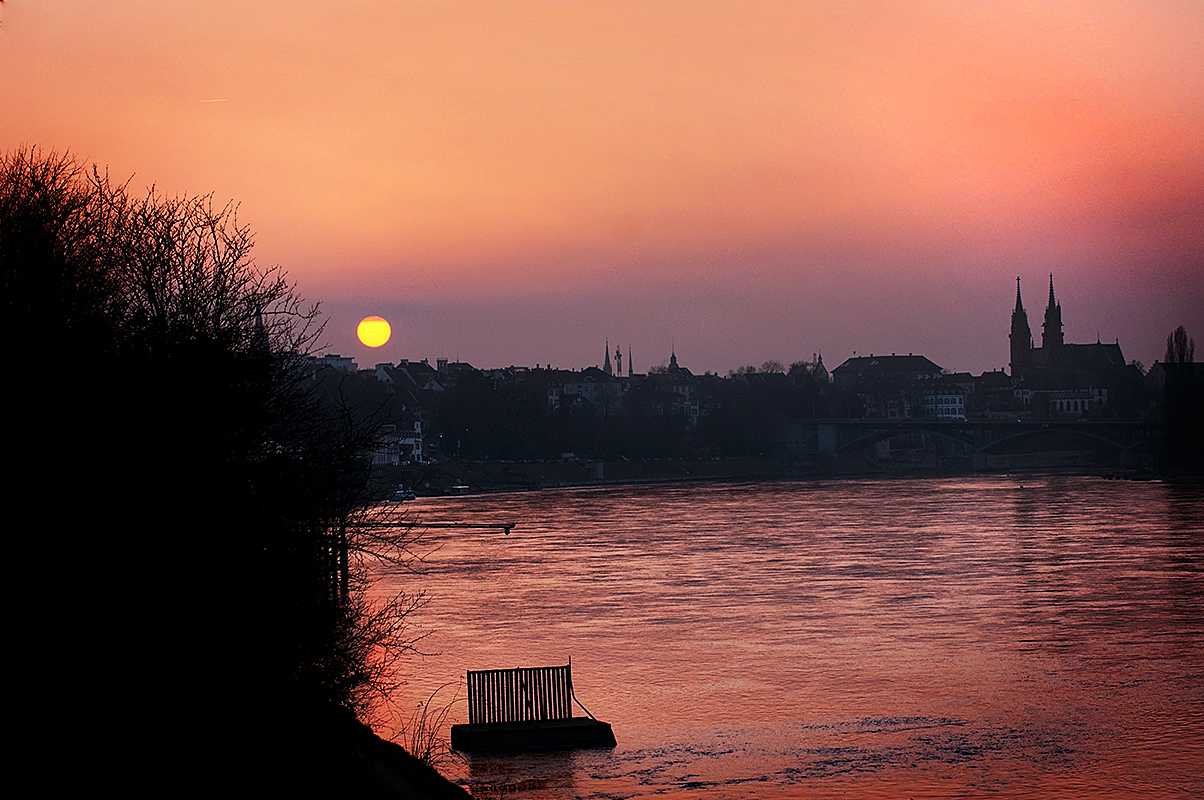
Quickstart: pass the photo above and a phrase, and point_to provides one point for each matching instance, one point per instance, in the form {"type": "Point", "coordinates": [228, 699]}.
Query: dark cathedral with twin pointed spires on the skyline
{"type": "Point", "coordinates": [1060, 378]}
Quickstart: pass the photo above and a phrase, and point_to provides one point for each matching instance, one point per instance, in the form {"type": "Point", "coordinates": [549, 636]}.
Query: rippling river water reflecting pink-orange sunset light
{"type": "Point", "coordinates": [936, 638]}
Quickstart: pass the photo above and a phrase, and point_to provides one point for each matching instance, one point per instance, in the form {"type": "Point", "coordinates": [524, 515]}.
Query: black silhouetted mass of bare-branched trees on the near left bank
{"type": "Point", "coordinates": [180, 497]}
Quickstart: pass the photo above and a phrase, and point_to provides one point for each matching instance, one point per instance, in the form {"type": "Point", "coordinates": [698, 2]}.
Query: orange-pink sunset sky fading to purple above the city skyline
{"type": "Point", "coordinates": [518, 183]}
